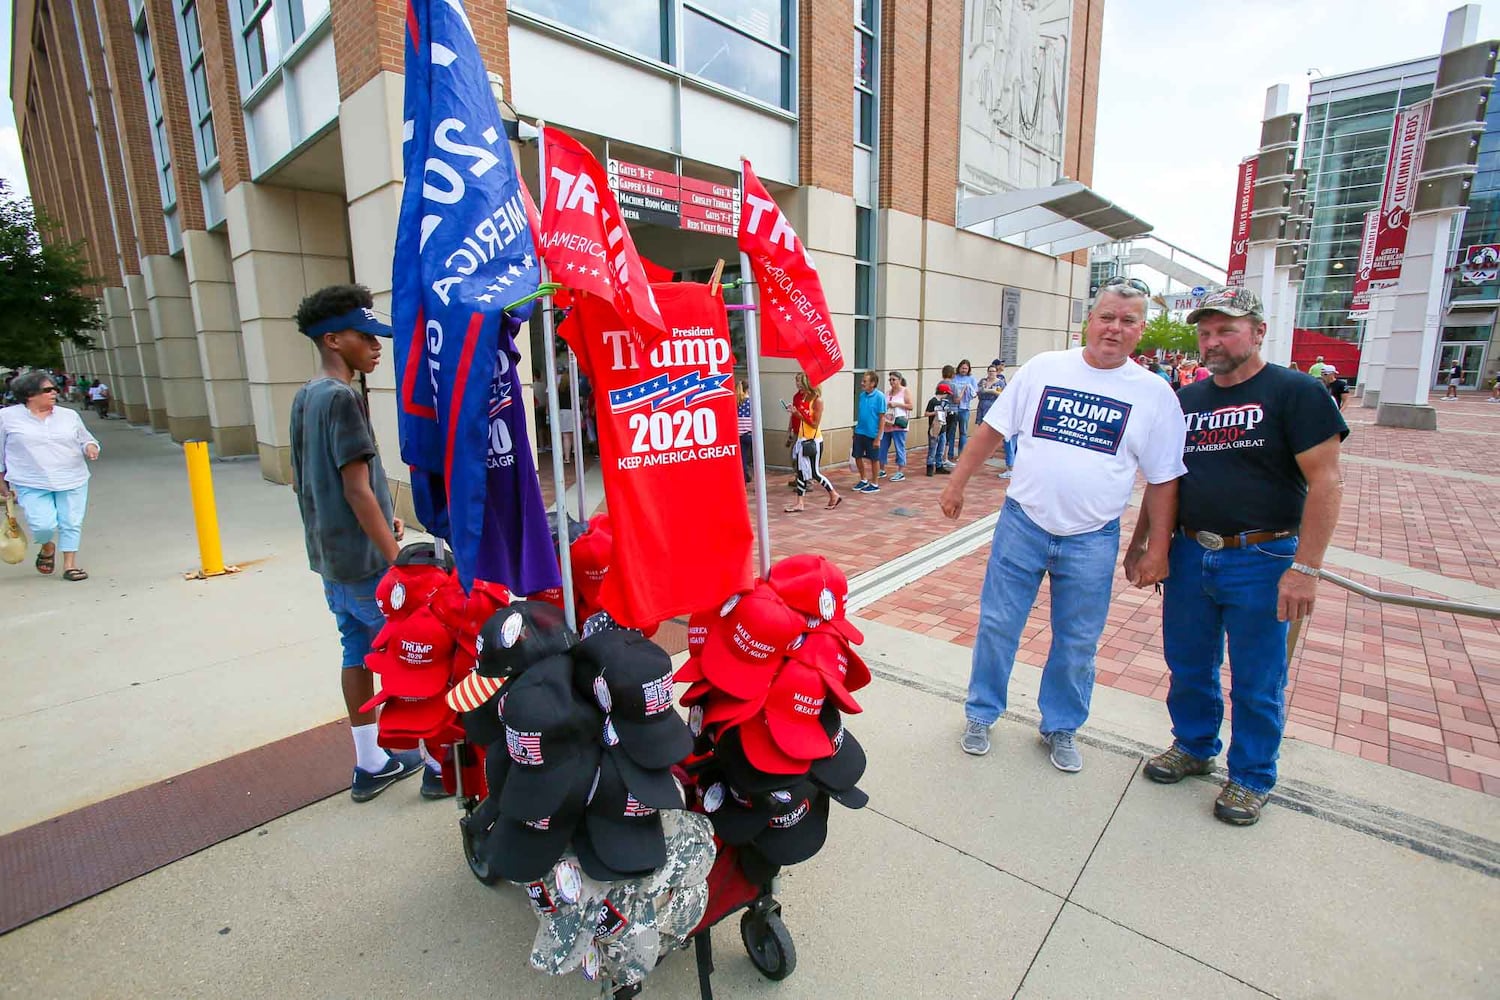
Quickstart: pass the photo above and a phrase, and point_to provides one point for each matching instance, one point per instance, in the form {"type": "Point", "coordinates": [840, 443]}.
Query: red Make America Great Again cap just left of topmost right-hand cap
{"type": "Point", "coordinates": [749, 641]}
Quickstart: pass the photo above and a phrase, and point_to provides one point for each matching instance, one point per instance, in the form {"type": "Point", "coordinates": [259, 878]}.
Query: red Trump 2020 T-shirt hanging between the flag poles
{"type": "Point", "coordinates": [670, 452]}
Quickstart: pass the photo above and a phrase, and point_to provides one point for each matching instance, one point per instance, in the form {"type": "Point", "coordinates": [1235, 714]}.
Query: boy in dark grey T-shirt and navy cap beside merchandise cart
{"type": "Point", "coordinates": [347, 516]}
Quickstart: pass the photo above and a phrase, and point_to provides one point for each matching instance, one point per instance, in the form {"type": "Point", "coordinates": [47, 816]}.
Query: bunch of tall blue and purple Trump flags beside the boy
{"type": "Point", "coordinates": [464, 251]}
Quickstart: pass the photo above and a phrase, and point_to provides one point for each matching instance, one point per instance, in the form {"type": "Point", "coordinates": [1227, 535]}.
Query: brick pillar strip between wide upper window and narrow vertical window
{"type": "Point", "coordinates": [826, 97]}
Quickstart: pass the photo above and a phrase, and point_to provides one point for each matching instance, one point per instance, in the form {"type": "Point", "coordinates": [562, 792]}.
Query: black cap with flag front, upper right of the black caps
{"type": "Point", "coordinates": [631, 678]}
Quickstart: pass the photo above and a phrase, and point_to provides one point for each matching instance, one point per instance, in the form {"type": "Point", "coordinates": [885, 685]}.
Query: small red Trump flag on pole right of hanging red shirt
{"type": "Point", "coordinates": [794, 314]}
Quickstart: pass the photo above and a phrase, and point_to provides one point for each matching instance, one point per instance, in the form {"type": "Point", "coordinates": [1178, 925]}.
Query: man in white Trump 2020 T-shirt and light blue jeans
{"type": "Point", "coordinates": [1087, 421]}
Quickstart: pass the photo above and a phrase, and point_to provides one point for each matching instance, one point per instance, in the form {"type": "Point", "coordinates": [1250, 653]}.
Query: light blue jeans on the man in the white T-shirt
{"type": "Point", "coordinates": [1081, 569]}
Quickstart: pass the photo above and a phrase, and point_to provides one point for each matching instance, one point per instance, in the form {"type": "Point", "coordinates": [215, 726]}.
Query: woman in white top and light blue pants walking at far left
{"type": "Point", "coordinates": [43, 451]}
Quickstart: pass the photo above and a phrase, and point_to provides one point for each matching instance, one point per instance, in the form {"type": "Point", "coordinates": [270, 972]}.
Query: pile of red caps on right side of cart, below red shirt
{"type": "Point", "coordinates": [766, 663]}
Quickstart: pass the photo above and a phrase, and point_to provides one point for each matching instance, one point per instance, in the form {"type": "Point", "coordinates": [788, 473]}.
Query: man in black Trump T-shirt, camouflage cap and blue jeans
{"type": "Point", "coordinates": [1256, 513]}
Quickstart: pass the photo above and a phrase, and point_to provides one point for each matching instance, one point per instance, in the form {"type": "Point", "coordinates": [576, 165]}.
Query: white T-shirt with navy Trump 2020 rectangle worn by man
{"type": "Point", "coordinates": [1082, 434]}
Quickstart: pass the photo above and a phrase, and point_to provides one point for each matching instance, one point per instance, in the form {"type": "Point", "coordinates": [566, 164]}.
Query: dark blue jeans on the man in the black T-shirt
{"type": "Point", "coordinates": [1208, 596]}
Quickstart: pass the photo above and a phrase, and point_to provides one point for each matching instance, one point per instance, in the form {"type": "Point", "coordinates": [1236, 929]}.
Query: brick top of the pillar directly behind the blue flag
{"type": "Point", "coordinates": [370, 38]}
